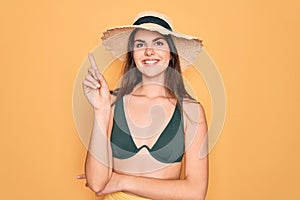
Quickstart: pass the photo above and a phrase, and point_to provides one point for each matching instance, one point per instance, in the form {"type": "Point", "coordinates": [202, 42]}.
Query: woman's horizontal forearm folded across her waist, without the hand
{"type": "Point", "coordinates": [157, 189]}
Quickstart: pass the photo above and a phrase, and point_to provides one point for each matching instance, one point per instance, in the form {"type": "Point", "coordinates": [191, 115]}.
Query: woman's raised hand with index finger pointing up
{"type": "Point", "coordinates": [95, 87]}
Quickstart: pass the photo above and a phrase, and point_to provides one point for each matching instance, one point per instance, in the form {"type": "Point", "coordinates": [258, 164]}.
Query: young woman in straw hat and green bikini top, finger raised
{"type": "Point", "coordinates": [150, 127]}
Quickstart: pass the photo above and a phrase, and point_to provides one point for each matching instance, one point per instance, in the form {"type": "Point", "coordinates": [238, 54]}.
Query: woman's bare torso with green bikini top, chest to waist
{"type": "Point", "coordinates": [147, 124]}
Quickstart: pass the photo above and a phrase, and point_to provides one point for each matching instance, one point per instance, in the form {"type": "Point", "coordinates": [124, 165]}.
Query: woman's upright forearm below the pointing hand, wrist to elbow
{"type": "Point", "coordinates": [98, 162]}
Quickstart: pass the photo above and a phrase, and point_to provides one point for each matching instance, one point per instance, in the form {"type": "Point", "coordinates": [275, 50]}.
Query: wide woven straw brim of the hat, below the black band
{"type": "Point", "coordinates": [116, 39]}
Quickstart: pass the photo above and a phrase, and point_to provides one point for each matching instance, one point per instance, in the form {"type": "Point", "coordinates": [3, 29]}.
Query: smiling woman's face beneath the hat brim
{"type": "Point", "coordinates": [151, 53]}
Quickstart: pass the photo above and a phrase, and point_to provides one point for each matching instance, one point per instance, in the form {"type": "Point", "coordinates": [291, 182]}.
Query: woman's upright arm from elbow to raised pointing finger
{"type": "Point", "coordinates": [98, 160]}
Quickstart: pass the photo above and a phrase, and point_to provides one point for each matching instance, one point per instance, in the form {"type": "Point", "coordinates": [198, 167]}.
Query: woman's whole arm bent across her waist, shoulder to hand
{"type": "Point", "coordinates": [194, 186]}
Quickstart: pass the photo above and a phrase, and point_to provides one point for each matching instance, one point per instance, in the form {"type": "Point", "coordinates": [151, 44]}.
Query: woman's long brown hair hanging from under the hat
{"type": "Point", "coordinates": [173, 80]}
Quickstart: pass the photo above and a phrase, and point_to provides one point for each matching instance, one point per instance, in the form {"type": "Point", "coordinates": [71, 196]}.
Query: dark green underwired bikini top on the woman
{"type": "Point", "coordinates": [169, 148]}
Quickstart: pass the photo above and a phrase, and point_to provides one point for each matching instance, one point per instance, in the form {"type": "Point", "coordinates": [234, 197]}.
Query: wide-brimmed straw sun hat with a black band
{"type": "Point", "coordinates": [115, 39]}
